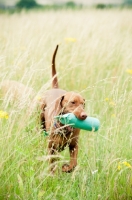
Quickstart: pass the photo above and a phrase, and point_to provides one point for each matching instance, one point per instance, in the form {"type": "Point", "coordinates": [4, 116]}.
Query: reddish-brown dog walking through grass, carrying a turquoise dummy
{"type": "Point", "coordinates": [56, 102]}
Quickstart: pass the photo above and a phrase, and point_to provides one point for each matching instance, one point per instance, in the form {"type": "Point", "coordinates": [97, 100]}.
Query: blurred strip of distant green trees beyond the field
{"type": "Point", "coordinates": [60, 4]}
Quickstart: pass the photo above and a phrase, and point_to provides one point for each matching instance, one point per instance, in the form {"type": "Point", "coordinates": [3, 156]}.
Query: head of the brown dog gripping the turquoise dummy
{"type": "Point", "coordinates": [71, 102]}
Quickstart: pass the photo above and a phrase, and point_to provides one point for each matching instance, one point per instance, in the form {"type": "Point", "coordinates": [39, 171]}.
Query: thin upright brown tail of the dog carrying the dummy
{"type": "Point", "coordinates": [54, 75]}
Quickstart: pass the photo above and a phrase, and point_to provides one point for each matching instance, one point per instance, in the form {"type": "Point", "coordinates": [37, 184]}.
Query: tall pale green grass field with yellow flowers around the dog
{"type": "Point", "coordinates": [95, 59]}
